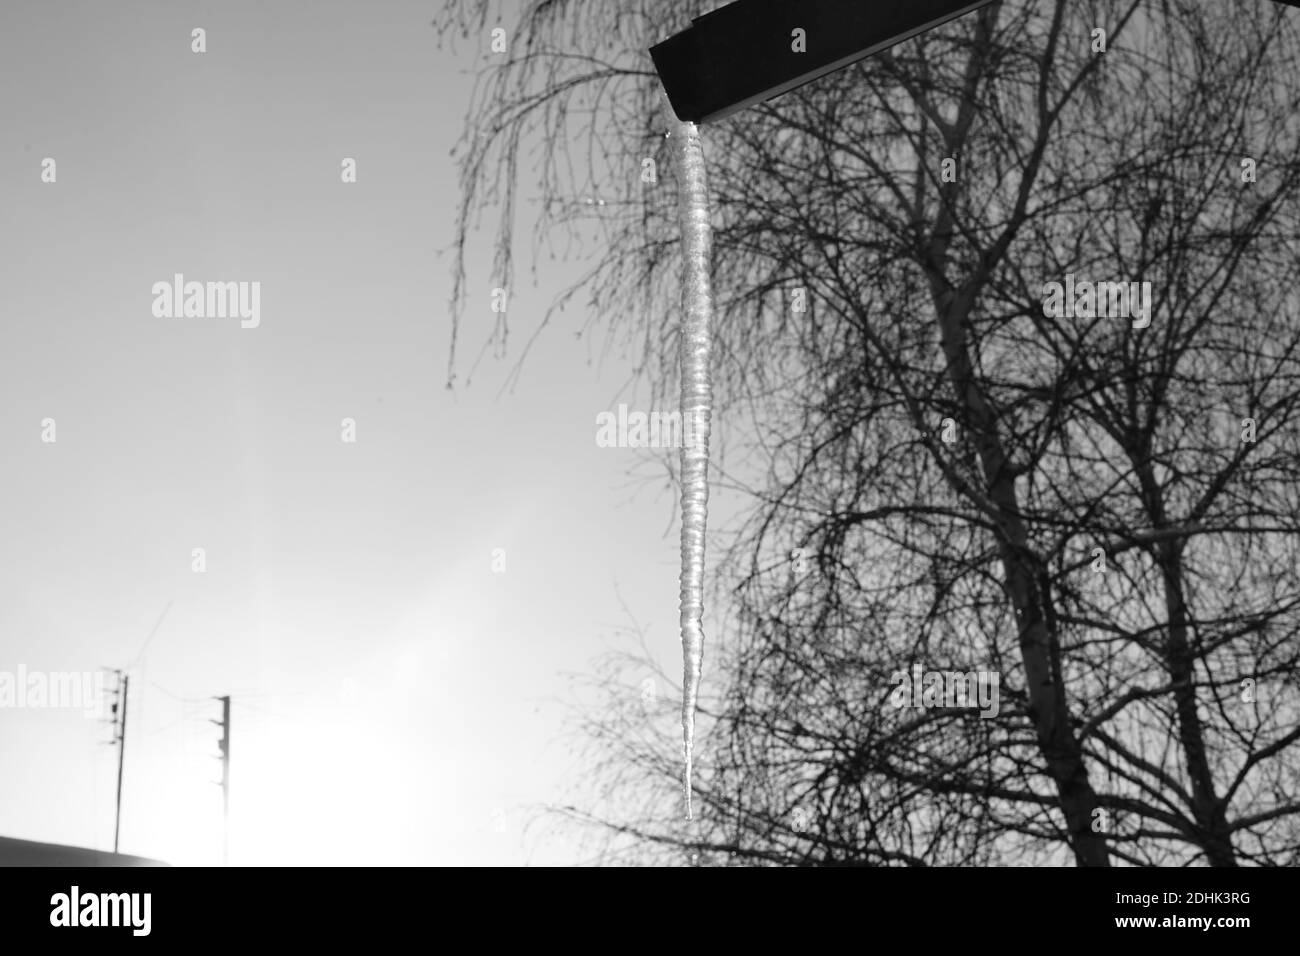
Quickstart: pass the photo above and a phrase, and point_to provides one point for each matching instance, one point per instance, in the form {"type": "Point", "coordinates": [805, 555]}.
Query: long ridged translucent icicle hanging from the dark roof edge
{"type": "Point", "coordinates": [697, 302]}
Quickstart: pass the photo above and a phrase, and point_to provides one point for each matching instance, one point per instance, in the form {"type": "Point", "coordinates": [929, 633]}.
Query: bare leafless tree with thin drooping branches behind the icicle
{"type": "Point", "coordinates": [1100, 512]}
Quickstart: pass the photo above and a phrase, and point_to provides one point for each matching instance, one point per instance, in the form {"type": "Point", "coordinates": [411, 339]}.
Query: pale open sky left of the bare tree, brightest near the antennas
{"type": "Point", "coordinates": [392, 694]}
